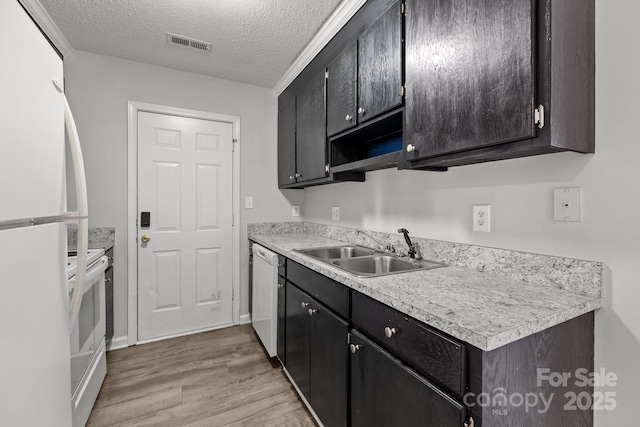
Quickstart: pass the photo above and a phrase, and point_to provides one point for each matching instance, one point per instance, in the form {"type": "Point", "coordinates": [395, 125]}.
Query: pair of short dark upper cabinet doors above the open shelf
{"type": "Point", "coordinates": [365, 80]}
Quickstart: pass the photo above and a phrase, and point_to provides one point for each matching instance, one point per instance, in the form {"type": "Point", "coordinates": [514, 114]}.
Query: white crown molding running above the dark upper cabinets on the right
{"type": "Point", "coordinates": [330, 28]}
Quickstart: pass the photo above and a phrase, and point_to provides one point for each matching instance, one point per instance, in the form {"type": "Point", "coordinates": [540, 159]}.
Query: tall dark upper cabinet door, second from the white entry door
{"type": "Point", "coordinates": [311, 151]}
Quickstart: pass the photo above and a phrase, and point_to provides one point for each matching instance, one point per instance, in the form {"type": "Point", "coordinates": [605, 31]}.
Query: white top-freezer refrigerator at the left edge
{"type": "Point", "coordinates": [35, 312]}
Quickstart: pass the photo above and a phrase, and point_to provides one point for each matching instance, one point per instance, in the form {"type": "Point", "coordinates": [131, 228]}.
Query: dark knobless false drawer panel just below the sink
{"type": "Point", "coordinates": [325, 290]}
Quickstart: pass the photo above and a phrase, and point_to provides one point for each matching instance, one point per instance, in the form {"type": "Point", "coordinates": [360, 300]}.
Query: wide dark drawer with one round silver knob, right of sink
{"type": "Point", "coordinates": [429, 352]}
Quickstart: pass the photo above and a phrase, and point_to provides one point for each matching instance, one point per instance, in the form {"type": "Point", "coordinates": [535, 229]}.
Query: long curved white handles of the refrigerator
{"type": "Point", "coordinates": [78, 217]}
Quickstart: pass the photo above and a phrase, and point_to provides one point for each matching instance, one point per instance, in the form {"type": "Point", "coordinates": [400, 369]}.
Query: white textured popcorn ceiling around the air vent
{"type": "Point", "coordinates": [254, 41]}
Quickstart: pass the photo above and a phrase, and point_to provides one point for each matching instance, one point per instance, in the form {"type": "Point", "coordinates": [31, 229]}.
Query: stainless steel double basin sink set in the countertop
{"type": "Point", "coordinates": [367, 262]}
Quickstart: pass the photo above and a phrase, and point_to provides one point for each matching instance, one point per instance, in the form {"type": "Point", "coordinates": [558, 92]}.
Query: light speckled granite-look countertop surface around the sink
{"type": "Point", "coordinates": [483, 309]}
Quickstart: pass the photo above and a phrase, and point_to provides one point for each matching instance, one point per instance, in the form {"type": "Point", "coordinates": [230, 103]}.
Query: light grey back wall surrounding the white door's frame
{"type": "Point", "coordinates": [99, 87]}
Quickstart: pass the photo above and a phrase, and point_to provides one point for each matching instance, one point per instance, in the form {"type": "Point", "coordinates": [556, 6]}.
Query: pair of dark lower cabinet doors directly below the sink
{"type": "Point", "coordinates": [317, 355]}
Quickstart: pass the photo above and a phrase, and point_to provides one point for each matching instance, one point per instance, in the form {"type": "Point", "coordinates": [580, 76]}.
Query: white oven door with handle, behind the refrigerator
{"type": "Point", "coordinates": [89, 330]}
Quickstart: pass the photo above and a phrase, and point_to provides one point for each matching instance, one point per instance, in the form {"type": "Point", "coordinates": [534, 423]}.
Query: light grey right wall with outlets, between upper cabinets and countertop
{"type": "Point", "coordinates": [520, 192]}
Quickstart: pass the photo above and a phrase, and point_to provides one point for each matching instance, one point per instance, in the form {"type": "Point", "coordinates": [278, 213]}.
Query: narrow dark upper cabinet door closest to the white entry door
{"type": "Point", "coordinates": [286, 140]}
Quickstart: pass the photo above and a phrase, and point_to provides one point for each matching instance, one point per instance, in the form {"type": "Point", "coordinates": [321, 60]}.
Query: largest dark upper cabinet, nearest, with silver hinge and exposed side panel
{"type": "Point", "coordinates": [491, 80]}
